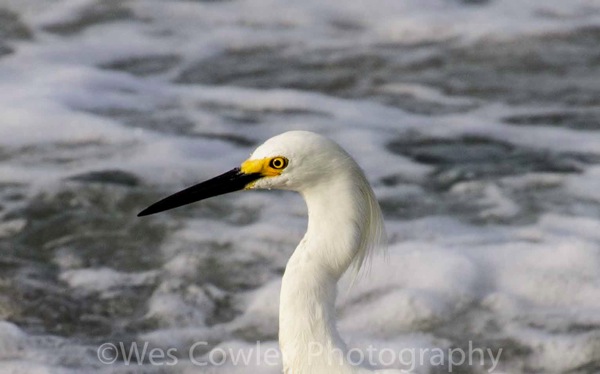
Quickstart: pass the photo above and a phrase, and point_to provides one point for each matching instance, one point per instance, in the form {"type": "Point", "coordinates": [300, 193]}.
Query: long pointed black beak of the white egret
{"type": "Point", "coordinates": [233, 180]}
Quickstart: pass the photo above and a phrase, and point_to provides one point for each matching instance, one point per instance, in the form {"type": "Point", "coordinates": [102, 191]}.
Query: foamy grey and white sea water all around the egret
{"type": "Point", "coordinates": [477, 123]}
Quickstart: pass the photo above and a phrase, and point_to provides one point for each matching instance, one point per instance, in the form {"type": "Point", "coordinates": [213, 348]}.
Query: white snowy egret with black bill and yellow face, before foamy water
{"type": "Point", "coordinates": [345, 226]}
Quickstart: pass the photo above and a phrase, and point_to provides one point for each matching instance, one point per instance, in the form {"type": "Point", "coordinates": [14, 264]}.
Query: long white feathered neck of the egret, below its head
{"type": "Point", "coordinates": [344, 224]}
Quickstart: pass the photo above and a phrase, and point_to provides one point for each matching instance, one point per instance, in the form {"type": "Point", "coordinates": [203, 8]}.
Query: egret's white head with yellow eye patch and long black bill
{"type": "Point", "coordinates": [295, 160]}
